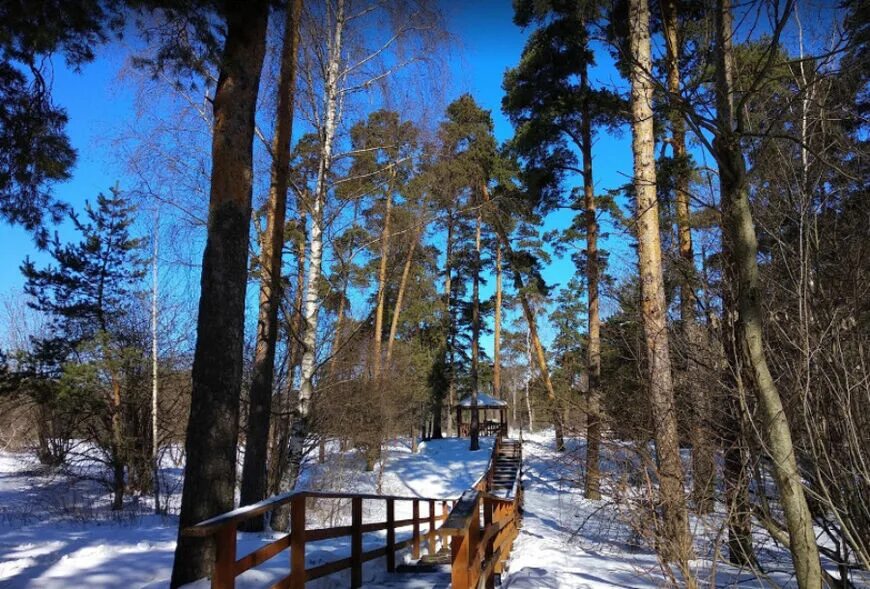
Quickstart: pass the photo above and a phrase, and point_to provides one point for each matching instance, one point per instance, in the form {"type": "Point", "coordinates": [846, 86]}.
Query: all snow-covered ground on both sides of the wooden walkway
{"type": "Point", "coordinates": [57, 531]}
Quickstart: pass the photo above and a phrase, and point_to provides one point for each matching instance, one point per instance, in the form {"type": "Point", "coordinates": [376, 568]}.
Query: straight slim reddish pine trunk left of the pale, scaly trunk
{"type": "Point", "coordinates": [593, 410]}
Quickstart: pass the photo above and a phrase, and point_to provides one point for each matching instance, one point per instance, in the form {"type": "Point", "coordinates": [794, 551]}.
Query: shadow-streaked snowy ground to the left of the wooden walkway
{"type": "Point", "coordinates": [58, 532]}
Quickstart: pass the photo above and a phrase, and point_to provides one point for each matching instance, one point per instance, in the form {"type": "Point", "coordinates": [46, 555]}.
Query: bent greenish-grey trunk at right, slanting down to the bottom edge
{"type": "Point", "coordinates": [739, 233]}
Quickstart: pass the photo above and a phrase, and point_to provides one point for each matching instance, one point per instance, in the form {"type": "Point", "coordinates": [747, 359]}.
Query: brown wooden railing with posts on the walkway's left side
{"type": "Point", "coordinates": [228, 565]}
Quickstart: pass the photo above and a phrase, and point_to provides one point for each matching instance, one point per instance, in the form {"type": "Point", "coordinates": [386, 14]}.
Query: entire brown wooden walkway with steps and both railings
{"type": "Point", "coordinates": [481, 526]}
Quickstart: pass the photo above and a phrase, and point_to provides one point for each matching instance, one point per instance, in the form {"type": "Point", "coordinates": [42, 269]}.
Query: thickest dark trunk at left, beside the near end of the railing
{"type": "Point", "coordinates": [212, 430]}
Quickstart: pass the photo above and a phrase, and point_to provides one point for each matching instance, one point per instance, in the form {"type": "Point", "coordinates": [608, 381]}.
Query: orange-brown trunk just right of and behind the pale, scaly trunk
{"type": "Point", "coordinates": [703, 465]}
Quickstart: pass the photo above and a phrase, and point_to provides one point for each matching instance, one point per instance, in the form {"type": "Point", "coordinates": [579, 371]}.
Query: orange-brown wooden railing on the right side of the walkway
{"type": "Point", "coordinates": [478, 553]}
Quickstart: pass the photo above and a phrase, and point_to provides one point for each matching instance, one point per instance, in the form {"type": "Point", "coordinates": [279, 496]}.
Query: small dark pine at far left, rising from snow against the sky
{"type": "Point", "coordinates": [88, 294]}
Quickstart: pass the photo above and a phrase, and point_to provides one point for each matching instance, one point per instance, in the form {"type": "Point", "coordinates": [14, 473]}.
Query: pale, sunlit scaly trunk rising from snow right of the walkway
{"type": "Point", "coordinates": [676, 543]}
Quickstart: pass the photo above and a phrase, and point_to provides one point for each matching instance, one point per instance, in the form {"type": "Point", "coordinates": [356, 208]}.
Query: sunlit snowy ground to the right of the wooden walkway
{"type": "Point", "coordinates": [570, 542]}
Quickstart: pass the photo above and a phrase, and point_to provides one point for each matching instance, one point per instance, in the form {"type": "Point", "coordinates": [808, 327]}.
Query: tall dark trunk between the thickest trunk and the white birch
{"type": "Point", "coordinates": [259, 415]}
